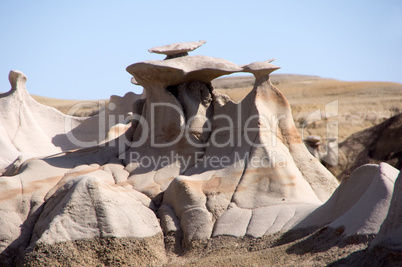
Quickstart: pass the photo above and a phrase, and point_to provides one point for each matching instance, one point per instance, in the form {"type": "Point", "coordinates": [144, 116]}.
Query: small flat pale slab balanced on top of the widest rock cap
{"type": "Point", "coordinates": [176, 49]}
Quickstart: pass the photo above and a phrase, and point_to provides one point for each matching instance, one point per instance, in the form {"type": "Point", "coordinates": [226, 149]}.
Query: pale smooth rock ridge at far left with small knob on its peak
{"type": "Point", "coordinates": [29, 129]}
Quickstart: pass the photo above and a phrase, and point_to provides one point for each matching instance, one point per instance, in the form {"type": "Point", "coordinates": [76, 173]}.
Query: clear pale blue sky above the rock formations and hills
{"type": "Point", "coordinates": [80, 49]}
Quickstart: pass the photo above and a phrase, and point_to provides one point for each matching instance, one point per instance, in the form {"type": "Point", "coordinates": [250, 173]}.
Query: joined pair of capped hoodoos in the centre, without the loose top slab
{"type": "Point", "coordinates": [223, 159]}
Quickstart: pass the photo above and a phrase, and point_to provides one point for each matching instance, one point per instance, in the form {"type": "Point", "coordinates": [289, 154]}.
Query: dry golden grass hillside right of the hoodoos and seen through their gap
{"type": "Point", "coordinates": [360, 104]}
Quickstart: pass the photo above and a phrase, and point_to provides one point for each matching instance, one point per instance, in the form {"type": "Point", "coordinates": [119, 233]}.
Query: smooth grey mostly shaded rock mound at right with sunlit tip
{"type": "Point", "coordinates": [360, 204]}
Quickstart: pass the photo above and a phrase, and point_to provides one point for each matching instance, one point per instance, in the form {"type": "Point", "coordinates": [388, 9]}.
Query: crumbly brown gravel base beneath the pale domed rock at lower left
{"type": "Point", "coordinates": [100, 252]}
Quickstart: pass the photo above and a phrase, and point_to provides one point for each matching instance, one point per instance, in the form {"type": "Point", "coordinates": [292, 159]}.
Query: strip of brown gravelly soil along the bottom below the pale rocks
{"type": "Point", "coordinates": [321, 248]}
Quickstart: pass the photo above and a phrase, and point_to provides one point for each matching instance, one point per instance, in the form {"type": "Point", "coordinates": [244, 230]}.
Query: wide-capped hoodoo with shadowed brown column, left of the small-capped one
{"type": "Point", "coordinates": [178, 94]}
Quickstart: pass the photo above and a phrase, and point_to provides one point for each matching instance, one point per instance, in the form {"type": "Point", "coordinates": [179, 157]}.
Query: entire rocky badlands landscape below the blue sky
{"type": "Point", "coordinates": [88, 195]}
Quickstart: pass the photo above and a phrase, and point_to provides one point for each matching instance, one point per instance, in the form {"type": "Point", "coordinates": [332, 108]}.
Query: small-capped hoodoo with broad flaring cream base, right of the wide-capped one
{"type": "Point", "coordinates": [268, 180]}
